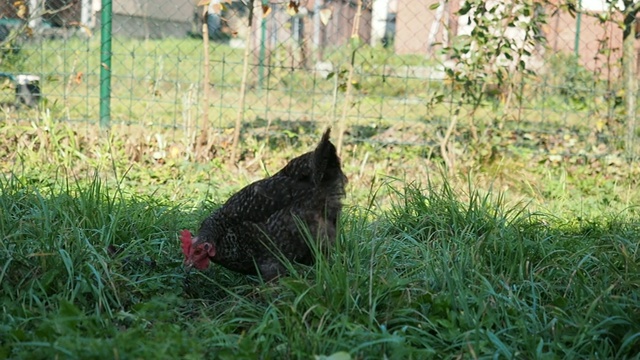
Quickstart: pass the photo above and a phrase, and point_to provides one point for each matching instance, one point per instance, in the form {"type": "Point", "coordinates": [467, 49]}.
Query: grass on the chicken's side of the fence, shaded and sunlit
{"type": "Point", "coordinates": [426, 266]}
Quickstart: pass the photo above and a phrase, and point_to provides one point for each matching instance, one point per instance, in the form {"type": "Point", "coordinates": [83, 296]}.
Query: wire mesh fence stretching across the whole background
{"type": "Point", "coordinates": [394, 71]}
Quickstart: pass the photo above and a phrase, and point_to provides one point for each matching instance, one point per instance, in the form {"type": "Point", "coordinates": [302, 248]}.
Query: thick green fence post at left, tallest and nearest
{"type": "Point", "coordinates": [106, 17]}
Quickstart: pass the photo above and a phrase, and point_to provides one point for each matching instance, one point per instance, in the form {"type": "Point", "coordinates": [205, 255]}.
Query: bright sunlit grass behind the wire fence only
{"type": "Point", "coordinates": [159, 83]}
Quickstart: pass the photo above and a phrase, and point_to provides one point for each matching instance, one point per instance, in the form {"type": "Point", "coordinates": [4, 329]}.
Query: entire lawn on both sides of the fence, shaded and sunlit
{"type": "Point", "coordinates": [527, 248]}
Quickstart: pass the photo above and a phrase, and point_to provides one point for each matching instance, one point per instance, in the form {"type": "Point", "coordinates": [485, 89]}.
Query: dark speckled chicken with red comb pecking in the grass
{"type": "Point", "coordinates": [260, 224]}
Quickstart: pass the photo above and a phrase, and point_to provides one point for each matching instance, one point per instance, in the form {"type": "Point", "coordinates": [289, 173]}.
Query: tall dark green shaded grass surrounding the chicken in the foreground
{"type": "Point", "coordinates": [91, 271]}
